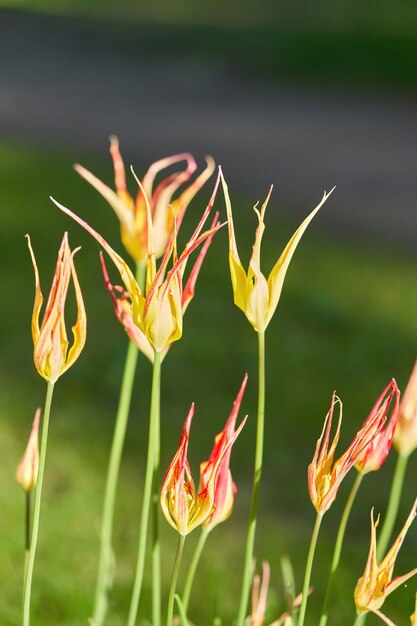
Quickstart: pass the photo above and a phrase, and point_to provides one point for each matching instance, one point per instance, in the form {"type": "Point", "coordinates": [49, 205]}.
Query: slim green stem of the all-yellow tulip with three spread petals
{"type": "Point", "coordinates": [250, 539]}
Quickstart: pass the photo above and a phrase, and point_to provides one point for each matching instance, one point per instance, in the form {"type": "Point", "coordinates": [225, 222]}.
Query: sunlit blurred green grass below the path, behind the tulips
{"type": "Point", "coordinates": [346, 321]}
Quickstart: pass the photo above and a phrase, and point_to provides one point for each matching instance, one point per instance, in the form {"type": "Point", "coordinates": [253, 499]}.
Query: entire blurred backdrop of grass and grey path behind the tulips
{"type": "Point", "coordinates": [298, 94]}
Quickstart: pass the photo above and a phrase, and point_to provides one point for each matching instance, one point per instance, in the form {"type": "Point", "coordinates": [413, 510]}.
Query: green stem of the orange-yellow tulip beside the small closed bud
{"type": "Point", "coordinates": [37, 508]}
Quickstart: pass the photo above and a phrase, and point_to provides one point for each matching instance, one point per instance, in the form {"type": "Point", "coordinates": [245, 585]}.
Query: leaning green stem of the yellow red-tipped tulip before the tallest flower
{"type": "Point", "coordinates": [147, 492]}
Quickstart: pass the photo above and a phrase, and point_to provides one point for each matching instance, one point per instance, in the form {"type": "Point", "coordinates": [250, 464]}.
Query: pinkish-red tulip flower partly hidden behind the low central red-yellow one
{"type": "Point", "coordinates": [225, 488]}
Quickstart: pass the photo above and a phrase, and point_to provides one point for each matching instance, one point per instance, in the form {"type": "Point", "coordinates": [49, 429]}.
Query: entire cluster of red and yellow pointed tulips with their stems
{"type": "Point", "coordinates": [150, 304]}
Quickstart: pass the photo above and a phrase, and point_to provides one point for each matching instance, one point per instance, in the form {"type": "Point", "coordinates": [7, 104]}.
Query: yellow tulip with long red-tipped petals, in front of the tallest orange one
{"type": "Point", "coordinates": [158, 312]}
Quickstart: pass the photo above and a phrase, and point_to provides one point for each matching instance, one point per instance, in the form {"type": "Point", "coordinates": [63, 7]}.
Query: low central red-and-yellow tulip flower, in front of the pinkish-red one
{"type": "Point", "coordinates": [184, 507]}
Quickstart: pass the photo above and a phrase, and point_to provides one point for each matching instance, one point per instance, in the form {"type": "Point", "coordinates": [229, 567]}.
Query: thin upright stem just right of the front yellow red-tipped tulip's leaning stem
{"type": "Point", "coordinates": [156, 545]}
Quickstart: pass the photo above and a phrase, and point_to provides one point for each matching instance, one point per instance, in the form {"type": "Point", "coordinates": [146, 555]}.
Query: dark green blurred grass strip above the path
{"type": "Point", "coordinates": [366, 46]}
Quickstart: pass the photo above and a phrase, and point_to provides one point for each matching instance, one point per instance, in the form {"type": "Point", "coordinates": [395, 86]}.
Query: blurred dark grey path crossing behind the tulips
{"type": "Point", "coordinates": [67, 82]}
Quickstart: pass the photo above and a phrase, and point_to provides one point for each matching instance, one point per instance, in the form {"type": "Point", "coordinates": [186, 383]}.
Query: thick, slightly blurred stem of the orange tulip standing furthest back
{"type": "Point", "coordinates": [106, 558]}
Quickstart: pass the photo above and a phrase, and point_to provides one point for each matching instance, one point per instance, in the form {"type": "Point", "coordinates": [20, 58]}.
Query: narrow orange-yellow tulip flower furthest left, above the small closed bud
{"type": "Point", "coordinates": [52, 354]}
